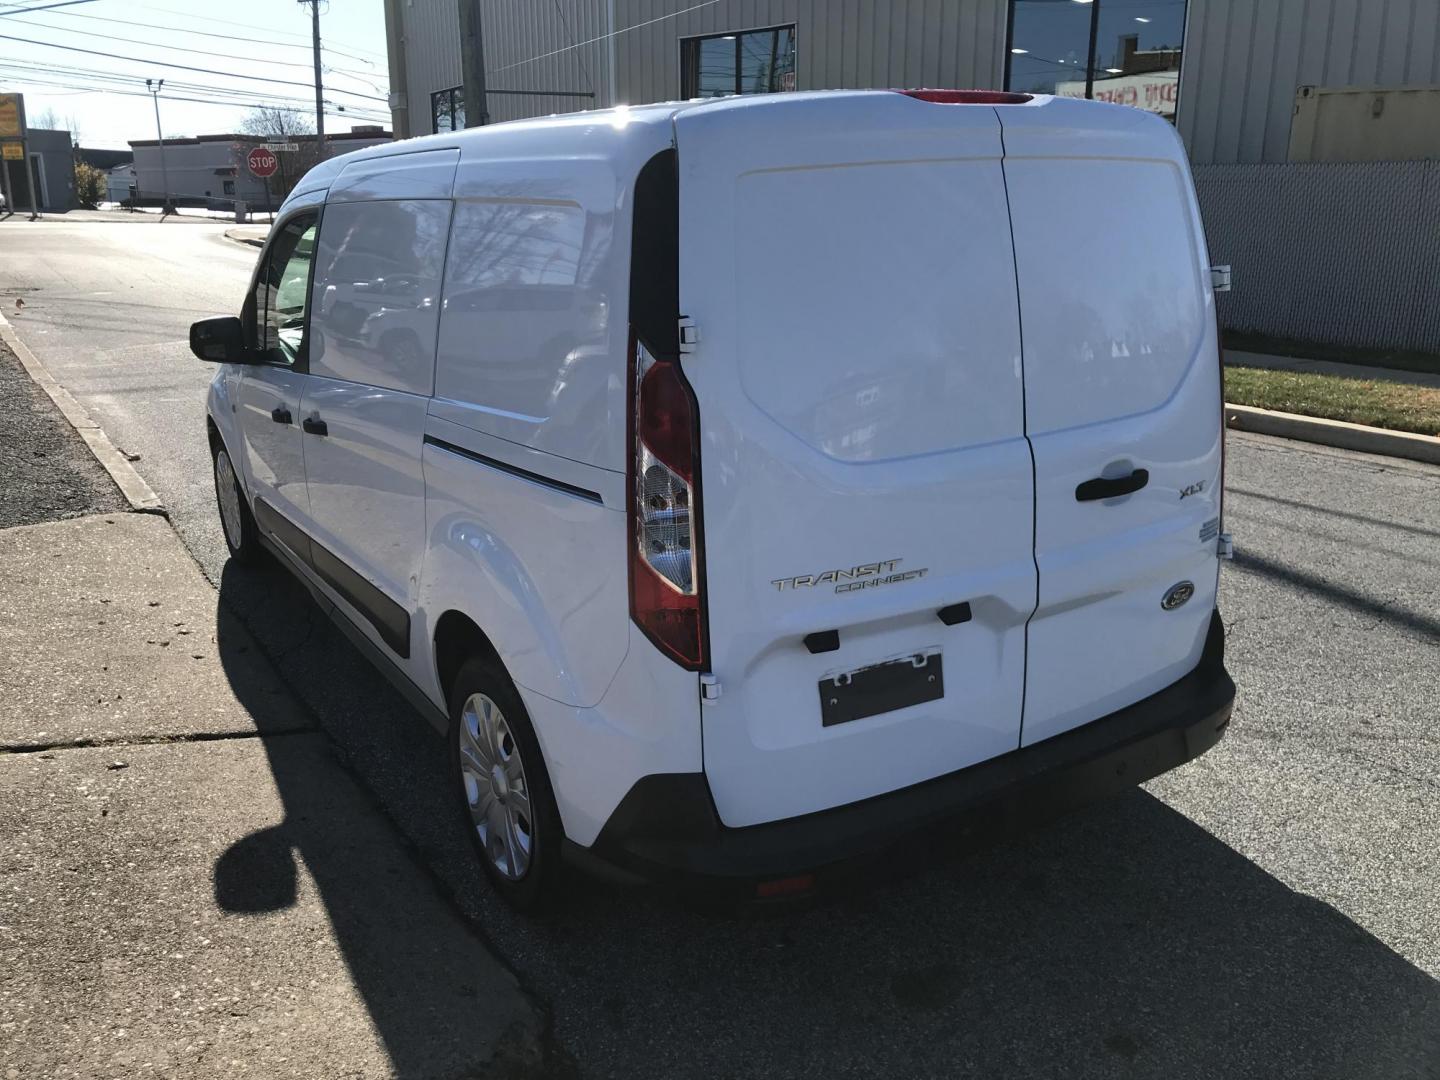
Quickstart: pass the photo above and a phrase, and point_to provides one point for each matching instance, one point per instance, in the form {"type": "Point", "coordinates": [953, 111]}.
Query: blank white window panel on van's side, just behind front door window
{"type": "Point", "coordinates": [378, 293]}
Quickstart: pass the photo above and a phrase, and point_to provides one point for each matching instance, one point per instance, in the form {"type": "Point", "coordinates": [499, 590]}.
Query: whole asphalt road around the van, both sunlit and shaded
{"type": "Point", "coordinates": [1272, 909]}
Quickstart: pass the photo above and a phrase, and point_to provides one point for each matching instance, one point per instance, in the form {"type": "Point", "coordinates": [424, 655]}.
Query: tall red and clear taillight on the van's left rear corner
{"type": "Point", "coordinates": [665, 512]}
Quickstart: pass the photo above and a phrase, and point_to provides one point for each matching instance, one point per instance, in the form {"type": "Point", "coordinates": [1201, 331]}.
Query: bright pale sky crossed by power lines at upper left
{"type": "Point", "coordinates": [267, 42]}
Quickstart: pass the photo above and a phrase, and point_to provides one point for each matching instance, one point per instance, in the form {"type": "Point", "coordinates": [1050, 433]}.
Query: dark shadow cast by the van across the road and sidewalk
{"type": "Point", "coordinates": [1124, 941]}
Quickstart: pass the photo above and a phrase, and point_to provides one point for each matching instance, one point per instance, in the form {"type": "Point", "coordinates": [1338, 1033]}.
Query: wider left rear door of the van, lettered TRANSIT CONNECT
{"type": "Point", "coordinates": [866, 485]}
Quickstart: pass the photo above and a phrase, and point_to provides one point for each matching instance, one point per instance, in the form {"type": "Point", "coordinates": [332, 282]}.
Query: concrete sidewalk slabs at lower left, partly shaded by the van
{"type": "Point", "coordinates": [192, 883]}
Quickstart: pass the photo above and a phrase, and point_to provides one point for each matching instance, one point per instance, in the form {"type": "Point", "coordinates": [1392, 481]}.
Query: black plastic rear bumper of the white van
{"type": "Point", "coordinates": [667, 829]}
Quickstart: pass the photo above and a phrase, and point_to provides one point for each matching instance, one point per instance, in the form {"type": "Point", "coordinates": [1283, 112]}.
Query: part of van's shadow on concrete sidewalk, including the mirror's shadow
{"type": "Point", "coordinates": [437, 996]}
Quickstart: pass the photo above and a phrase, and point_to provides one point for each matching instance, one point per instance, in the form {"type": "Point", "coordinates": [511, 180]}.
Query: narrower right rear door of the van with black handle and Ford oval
{"type": "Point", "coordinates": [1122, 405]}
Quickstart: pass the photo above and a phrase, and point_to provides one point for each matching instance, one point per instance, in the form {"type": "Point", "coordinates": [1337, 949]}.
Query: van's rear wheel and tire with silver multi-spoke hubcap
{"type": "Point", "coordinates": [510, 816]}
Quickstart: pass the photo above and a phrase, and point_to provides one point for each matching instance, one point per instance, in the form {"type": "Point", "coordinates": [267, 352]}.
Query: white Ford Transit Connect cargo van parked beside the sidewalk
{"type": "Point", "coordinates": [751, 486]}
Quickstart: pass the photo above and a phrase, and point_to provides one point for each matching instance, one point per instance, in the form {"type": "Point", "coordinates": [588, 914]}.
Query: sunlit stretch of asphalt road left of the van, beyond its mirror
{"type": "Point", "coordinates": [107, 310]}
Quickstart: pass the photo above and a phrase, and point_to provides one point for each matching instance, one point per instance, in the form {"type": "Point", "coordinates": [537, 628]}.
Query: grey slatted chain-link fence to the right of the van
{"type": "Point", "coordinates": [1334, 253]}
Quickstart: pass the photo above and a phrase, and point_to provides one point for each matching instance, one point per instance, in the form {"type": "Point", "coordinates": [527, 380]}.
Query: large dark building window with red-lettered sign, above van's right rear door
{"type": "Point", "coordinates": [1137, 51]}
